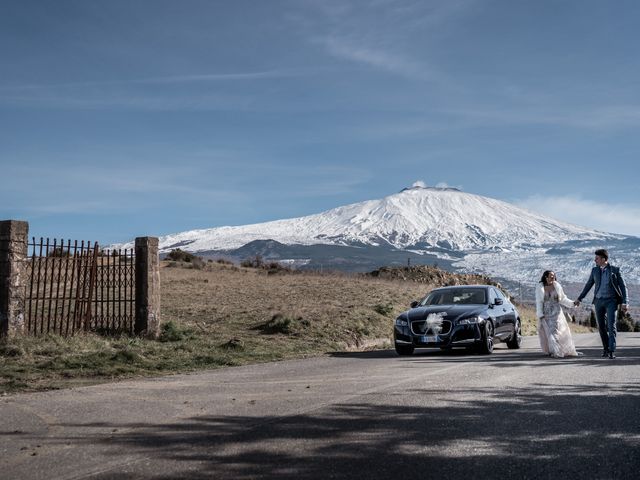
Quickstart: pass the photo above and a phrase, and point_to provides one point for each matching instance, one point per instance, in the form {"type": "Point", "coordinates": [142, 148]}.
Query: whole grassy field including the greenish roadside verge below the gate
{"type": "Point", "coordinates": [219, 315]}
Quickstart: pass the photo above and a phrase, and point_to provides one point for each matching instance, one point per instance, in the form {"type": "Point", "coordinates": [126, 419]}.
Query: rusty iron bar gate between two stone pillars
{"type": "Point", "coordinates": [77, 286]}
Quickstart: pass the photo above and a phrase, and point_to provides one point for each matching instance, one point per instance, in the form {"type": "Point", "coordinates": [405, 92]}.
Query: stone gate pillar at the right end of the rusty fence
{"type": "Point", "coordinates": [147, 321]}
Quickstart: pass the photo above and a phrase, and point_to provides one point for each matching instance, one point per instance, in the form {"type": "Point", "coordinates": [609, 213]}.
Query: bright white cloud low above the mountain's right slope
{"type": "Point", "coordinates": [607, 217]}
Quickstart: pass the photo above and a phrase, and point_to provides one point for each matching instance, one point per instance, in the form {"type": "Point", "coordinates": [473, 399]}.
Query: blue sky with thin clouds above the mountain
{"type": "Point", "coordinates": [125, 118]}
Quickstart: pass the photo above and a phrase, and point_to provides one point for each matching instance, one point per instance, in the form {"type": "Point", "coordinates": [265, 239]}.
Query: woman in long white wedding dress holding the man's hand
{"type": "Point", "coordinates": [553, 329]}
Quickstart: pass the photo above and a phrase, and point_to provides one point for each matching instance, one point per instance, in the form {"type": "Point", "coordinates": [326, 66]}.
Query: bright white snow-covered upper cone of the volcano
{"type": "Point", "coordinates": [415, 218]}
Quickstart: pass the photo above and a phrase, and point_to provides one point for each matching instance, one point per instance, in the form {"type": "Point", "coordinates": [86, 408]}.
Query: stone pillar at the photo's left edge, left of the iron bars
{"type": "Point", "coordinates": [13, 276]}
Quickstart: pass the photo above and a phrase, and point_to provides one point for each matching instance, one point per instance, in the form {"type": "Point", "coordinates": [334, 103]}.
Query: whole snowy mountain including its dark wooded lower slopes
{"type": "Point", "coordinates": [422, 224]}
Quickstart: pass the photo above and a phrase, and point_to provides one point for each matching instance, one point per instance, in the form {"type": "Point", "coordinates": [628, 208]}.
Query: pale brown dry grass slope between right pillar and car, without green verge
{"type": "Point", "coordinates": [331, 310]}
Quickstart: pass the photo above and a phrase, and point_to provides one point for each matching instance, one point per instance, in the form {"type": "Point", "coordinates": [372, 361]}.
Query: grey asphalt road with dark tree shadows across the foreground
{"type": "Point", "coordinates": [514, 414]}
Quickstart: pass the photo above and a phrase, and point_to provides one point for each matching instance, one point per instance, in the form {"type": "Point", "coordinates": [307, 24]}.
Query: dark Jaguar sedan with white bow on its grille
{"type": "Point", "coordinates": [459, 316]}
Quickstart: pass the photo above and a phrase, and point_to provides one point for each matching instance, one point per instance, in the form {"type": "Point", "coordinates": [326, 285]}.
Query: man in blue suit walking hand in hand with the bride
{"type": "Point", "coordinates": [610, 292]}
